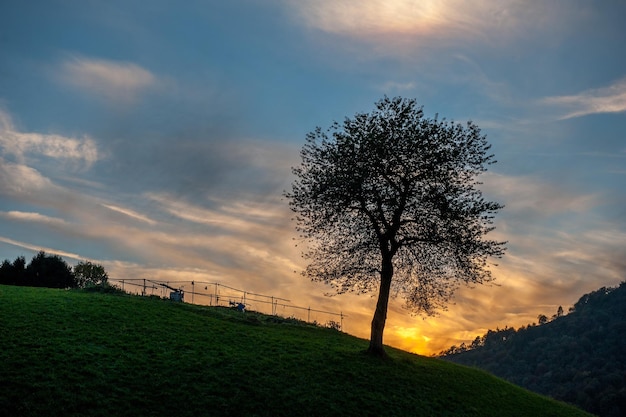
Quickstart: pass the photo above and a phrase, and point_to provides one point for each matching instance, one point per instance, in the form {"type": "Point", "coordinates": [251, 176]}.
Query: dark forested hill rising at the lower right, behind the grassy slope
{"type": "Point", "coordinates": [579, 357]}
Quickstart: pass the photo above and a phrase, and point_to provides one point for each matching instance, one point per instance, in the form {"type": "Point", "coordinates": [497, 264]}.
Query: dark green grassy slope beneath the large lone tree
{"type": "Point", "coordinates": [77, 353]}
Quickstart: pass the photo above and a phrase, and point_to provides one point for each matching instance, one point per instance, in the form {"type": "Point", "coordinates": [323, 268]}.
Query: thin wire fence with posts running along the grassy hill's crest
{"type": "Point", "coordinates": [217, 294]}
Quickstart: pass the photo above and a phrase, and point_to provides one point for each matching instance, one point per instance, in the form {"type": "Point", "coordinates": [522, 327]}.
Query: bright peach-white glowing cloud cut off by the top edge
{"type": "Point", "coordinates": [426, 20]}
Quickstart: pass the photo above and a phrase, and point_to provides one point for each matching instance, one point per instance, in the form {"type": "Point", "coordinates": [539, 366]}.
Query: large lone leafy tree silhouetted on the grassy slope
{"type": "Point", "coordinates": [389, 201]}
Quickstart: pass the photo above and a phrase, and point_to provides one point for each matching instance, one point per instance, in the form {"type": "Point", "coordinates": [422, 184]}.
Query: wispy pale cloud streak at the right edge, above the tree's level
{"type": "Point", "coordinates": [611, 99]}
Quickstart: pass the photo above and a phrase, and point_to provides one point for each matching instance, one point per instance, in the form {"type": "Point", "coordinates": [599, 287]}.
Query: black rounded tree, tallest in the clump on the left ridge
{"type": "Point", "coordinates": [49, 271]}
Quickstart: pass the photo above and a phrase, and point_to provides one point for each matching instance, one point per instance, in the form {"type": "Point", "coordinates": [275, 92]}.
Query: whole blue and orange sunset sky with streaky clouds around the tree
{"type": "Point", "coordinates": [157, 138]}
